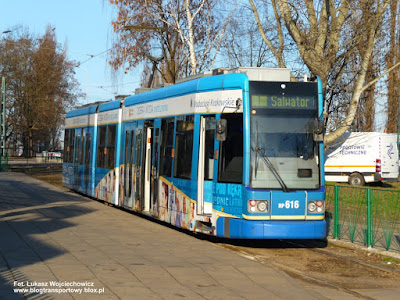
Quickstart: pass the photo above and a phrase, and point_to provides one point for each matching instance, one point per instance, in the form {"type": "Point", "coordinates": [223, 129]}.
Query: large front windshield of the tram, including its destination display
{"type": "Point", "coordinates": [284, 154]}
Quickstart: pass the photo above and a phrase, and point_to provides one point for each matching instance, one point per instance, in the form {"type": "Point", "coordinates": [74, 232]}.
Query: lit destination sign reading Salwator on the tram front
{"type": "Point", "coordinates": [282, 102]}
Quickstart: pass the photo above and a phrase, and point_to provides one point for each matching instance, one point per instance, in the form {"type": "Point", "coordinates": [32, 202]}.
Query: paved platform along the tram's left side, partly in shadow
{"type": "Point", "coordinates": [55, 244]}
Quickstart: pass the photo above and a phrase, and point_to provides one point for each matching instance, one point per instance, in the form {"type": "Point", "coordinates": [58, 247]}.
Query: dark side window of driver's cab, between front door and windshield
{"type": "Point", "coordinates": [230, 167]}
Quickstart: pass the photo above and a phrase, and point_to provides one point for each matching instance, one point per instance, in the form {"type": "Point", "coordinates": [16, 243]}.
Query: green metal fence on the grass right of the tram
{"type": "Point", "coordinates": [369, 216]}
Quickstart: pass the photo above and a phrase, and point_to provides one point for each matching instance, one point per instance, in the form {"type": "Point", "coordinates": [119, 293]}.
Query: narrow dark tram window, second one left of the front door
{"type": "Point", "coordinates": [167, 139]}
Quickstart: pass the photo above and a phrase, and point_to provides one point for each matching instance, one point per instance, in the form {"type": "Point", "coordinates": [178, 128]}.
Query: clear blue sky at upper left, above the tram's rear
{"type": "Point", "coordinates": [85, 27]}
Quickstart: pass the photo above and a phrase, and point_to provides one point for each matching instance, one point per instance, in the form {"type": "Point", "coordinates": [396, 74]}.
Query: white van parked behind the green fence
{"type": "Point", "coordinates": [363, 157]}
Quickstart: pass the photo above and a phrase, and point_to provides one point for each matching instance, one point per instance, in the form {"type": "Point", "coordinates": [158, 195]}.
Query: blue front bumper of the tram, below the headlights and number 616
{"type": "Point", "coordinates": [253, 229]}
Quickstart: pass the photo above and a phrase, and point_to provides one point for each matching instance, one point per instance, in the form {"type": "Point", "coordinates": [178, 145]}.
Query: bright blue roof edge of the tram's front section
{"type": "Point", "coordinates": [204, 84]}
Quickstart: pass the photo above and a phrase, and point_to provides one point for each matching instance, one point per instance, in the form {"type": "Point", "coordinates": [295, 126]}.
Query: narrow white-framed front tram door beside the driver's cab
{"type": "Point", "coordinates": [206, 165]}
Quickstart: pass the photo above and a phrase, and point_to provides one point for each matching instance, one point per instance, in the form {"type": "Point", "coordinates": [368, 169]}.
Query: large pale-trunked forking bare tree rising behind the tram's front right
{"type": "Point", "coordinates": [321, 32]}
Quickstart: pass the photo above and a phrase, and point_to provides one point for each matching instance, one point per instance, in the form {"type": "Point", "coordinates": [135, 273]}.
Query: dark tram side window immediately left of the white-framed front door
{"type": "Point", "coordinates": [184, 147]}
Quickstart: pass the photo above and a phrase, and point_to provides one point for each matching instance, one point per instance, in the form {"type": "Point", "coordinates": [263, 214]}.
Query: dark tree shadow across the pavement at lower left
{"type": "Point", "coordinates": [30, 212]}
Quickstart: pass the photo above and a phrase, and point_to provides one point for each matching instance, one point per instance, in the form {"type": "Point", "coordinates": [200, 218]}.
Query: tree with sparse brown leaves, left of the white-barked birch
{"type": "Point", "coordinates": [139, 38]}
